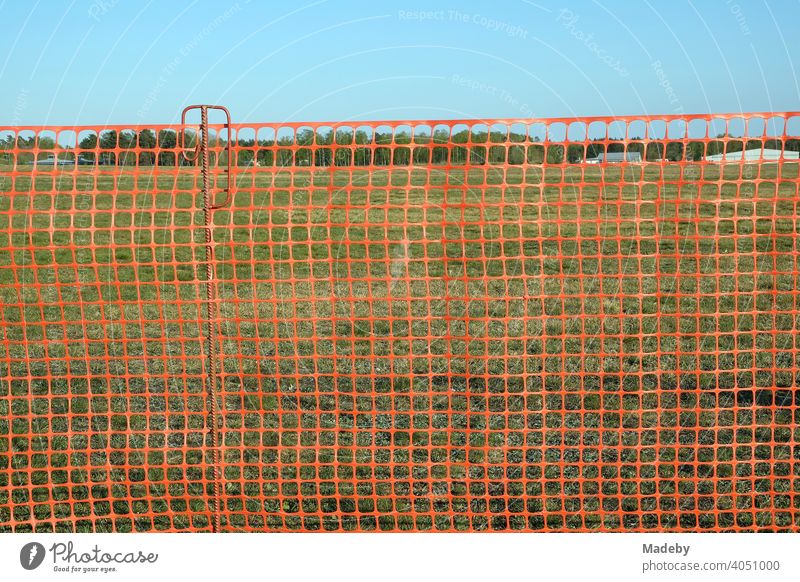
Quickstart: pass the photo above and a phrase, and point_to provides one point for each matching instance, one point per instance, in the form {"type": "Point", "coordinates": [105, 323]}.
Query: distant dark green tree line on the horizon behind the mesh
{"type": "Point", "coordinates": [362, 148]}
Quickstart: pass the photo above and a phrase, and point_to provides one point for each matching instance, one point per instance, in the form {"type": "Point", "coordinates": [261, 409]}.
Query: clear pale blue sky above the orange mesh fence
{"type": "Point", "coordinates": [125, 61]}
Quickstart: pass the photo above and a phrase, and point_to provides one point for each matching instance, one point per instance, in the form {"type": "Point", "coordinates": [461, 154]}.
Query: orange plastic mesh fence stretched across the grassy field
{"type": "Point", "coordinates": [549, 325]}
